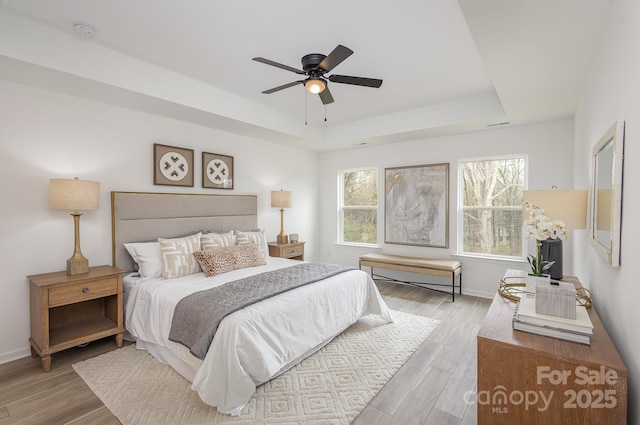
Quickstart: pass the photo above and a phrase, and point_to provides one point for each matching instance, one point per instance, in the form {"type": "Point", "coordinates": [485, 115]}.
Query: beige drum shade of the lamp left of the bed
{"type": "Point", "coordinates": [74, 194]}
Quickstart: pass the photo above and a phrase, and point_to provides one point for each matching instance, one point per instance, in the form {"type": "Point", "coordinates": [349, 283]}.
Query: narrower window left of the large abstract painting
{"type": "Point", "coordinates": [358, 215]}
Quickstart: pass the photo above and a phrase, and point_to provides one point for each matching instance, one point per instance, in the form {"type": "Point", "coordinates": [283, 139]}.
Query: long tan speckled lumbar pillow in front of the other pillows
{"type": "Point", "coordinates": [223, 260]}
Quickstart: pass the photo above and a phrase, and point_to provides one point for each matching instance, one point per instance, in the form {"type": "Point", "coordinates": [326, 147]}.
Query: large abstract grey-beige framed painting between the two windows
{"type": "Point", "coordinates": [417, 205]}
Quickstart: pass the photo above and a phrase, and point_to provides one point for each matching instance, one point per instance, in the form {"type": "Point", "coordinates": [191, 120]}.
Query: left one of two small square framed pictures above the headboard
{"type": "Point", "coordinates": [172, 166]}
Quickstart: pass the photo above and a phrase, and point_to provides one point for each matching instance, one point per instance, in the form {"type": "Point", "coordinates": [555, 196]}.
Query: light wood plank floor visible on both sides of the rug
{"type": "Point", "coordinates": [428, 389]}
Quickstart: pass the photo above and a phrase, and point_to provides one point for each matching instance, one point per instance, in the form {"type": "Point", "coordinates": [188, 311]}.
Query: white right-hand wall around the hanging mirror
{"type": "Point", "coordinates": [613, 93]}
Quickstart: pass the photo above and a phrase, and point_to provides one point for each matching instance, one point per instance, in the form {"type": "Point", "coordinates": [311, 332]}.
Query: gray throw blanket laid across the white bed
{"type": "Point", "coordinates": [197, 316]}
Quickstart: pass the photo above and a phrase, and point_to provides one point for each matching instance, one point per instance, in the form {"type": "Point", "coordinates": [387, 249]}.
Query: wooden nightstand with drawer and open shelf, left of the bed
{"type": "Point", "coordinates": [67, 310]}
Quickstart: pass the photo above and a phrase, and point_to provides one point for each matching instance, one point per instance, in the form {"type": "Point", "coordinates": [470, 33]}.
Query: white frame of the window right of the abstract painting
{"type": "Point", "coordinates": [460, 208]}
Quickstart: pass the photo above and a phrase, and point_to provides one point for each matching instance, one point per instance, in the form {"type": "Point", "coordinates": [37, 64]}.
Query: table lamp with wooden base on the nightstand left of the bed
{"type": "Point", "coordinates": [75, 195]}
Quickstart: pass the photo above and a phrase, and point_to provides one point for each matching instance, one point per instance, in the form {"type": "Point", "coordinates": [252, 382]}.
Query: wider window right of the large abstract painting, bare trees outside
{"type": "Point", "coordinates": [491, 206]}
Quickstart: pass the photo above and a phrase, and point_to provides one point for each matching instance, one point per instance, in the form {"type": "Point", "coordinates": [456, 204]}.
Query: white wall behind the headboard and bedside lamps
{"type": "Point", "coordinates": [45, 135]}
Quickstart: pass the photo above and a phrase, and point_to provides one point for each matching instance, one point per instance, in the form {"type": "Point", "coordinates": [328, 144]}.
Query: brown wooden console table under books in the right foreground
{"type": "Point", "coordinates": [531, 379]}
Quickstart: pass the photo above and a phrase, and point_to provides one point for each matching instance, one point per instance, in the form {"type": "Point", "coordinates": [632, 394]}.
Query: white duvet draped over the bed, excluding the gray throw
{"type": "Point", "coordinates": [256, 343]}
